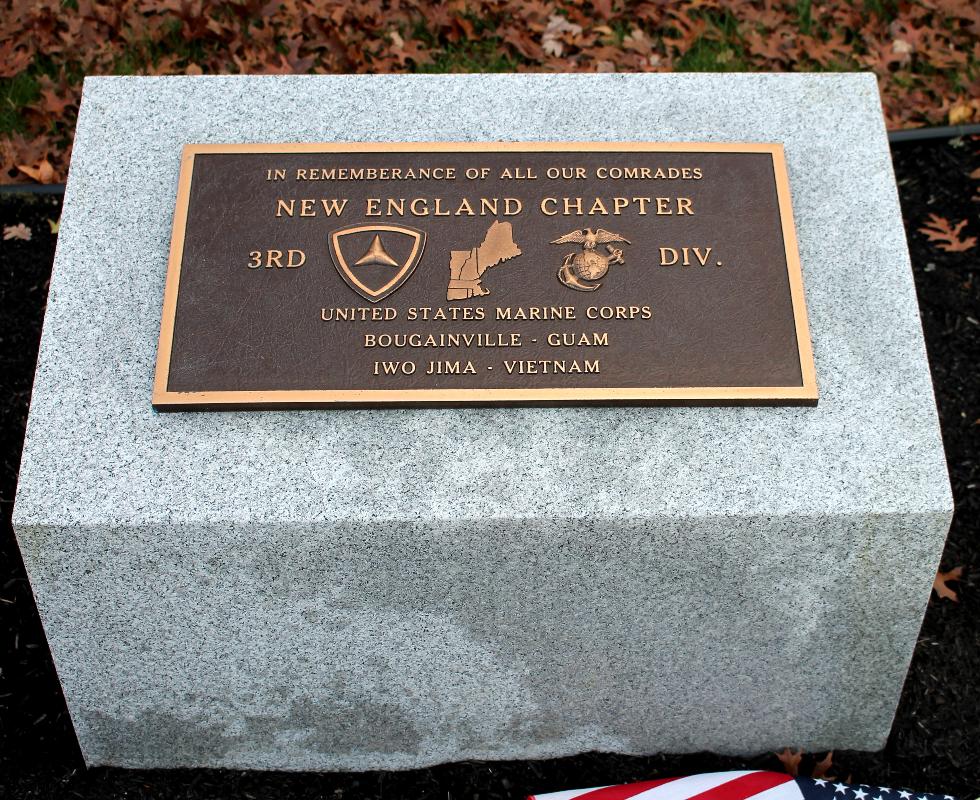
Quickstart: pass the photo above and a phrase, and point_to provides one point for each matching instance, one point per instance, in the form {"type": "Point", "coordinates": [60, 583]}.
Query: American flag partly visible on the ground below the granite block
{"type": "Point", "coordinates": [757, 785]}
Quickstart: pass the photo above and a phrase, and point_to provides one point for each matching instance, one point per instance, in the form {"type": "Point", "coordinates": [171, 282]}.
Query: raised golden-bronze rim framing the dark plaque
{"type": "Point", "coordinates": [806, 394]}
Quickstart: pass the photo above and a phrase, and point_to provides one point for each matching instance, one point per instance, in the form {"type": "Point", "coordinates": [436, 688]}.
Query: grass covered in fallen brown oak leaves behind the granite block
{"type": "Point", "coordinates": [926, 53]}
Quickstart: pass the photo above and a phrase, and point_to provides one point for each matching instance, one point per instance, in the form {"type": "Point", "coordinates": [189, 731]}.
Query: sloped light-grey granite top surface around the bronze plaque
{"type": "Point", "coordinates": [98, 454]}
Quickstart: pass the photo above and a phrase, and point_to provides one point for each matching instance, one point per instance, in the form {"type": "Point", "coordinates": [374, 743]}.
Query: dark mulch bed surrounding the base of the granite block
{"type": "Point", "coordinates": [935, 742]}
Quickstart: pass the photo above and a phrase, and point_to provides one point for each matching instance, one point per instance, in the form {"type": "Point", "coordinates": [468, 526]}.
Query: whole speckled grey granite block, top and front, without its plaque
{"type": "Point", "coordinates": [361, 589]}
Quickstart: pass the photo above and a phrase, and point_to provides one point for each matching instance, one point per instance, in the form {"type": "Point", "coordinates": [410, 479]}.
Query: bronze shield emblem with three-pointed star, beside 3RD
{"type": "Point", "coordinates": [376, 260]}
